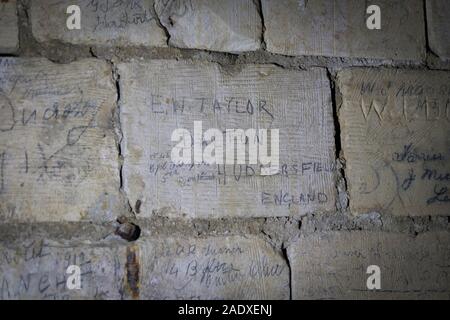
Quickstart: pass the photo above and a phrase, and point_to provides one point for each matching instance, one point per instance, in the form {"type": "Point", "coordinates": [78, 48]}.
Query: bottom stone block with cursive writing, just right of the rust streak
{"type": "Point", "coordinates": [213, 268]}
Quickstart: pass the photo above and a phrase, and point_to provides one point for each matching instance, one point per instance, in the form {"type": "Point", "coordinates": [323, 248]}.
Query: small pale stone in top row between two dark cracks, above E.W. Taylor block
{"type": "Point", "coordinates": [231, 26]}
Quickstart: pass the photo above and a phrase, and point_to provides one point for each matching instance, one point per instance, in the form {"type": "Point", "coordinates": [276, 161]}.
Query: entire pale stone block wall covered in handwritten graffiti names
{"type": "Point", "coordinates": [86, 177]}
